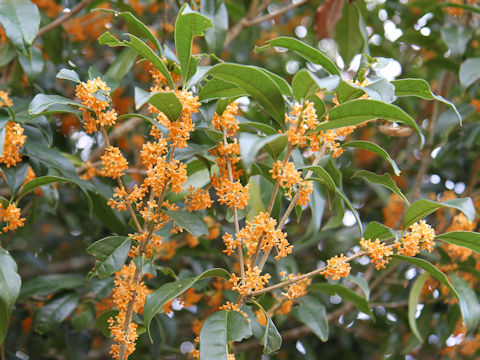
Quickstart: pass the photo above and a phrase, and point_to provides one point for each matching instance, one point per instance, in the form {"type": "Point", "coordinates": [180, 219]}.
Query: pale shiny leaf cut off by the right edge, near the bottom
{"type": "Point", "coordinates": [468, 301]}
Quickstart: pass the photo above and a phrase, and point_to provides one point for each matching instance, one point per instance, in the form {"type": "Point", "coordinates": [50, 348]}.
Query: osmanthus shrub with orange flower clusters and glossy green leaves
{"type": "Point", "coordinates": [213, 202]}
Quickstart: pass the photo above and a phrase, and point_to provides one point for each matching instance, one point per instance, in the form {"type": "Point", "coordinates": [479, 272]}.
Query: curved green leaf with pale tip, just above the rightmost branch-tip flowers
{"type": "Point", "coordinates": [421, 208]}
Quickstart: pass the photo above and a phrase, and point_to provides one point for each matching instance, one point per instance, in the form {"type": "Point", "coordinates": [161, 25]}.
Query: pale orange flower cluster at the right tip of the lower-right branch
{"type": "Point", "coordinates": [420, 235]}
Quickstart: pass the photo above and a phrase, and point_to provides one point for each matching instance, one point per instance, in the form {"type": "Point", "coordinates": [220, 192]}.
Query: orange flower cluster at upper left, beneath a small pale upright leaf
{"type": "Point", "coordinates": [95, 95]}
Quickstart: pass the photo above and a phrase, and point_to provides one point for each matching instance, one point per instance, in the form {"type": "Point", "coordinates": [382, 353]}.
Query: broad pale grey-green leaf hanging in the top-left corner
{"type": "Point", "coordinates": [21, 21]}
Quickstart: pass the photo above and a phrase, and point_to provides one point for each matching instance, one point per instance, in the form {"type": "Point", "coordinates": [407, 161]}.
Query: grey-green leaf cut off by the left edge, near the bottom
{"type": "Point", "coordinates": [10, 283]}
